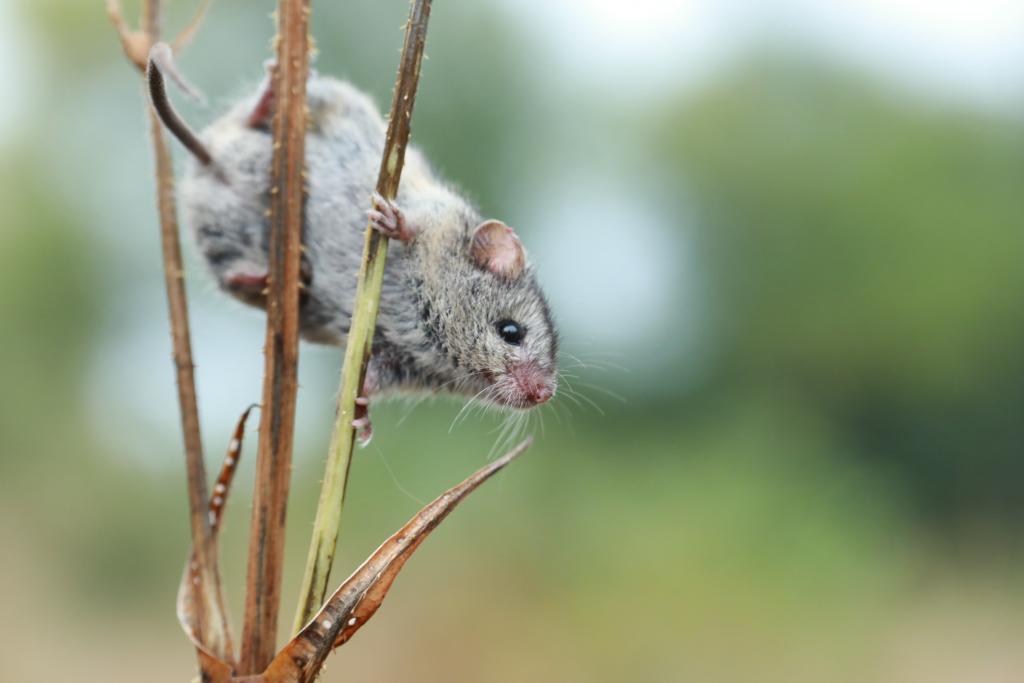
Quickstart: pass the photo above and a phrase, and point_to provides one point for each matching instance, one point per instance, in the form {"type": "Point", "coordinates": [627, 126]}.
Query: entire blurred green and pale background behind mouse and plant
{"type": "Point", "coordinates": [785, 242]}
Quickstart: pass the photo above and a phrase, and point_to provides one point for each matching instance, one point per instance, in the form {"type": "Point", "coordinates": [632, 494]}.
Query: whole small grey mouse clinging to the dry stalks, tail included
{"type": "Point", "coordinates": [461, 310]}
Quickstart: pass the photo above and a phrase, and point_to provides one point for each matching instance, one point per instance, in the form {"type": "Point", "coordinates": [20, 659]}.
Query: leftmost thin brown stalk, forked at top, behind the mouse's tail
{"type": "Point", "coordinates": [211, 621]}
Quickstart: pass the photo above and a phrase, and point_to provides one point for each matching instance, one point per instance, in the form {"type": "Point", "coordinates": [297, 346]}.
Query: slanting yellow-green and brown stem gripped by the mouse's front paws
{"type": "Point", "coordinates": [364, 322]}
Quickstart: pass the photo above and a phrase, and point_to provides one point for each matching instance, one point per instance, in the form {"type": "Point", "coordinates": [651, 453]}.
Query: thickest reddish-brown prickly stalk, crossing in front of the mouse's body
{"type": "Point", "coordinates": [274, 461]}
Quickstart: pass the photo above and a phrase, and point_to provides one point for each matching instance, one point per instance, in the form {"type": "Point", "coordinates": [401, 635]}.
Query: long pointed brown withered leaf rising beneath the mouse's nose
{"type": "Point", "coordinates": [362, 594]}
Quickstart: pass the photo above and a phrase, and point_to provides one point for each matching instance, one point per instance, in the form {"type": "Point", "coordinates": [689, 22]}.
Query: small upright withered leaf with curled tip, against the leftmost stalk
{"type": "Point", "coordinates": [215, 666]}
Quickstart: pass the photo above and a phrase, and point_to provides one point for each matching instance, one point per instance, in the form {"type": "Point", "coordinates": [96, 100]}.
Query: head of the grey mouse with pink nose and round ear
{"type": "Point", "coordinates": [506, 339]}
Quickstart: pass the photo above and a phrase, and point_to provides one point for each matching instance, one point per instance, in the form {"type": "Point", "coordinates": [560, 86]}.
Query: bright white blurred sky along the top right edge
{"type": "Point", "coordinates": [967, 49]}
